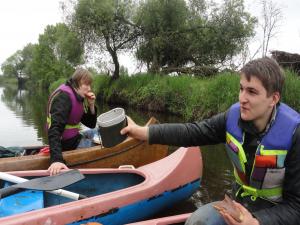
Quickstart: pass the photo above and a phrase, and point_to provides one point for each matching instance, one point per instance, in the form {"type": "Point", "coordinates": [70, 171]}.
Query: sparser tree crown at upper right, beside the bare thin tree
{"type": "Point", "coordinates": [223, 34]}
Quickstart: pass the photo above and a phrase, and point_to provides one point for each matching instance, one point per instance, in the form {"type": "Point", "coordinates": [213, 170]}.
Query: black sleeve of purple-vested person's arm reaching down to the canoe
{"type": "Point", "coordinates": [60, 111]}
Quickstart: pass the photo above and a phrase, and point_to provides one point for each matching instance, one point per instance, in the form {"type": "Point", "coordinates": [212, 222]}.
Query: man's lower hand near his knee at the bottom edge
{"type": "Point", "coordinates": [248, 219]}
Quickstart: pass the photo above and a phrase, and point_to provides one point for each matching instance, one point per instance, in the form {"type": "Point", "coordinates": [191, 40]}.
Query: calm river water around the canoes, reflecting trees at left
{"type": "Point", "coordinates": [22, 119]}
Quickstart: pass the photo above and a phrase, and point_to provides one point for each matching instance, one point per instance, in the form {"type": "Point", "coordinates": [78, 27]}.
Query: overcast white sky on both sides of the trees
{"type": "Point", "coordinates": [21, 22]}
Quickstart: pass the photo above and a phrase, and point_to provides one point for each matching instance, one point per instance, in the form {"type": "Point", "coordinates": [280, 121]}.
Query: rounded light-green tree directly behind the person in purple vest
{"type": "Point", "coordinates": [57, 53]}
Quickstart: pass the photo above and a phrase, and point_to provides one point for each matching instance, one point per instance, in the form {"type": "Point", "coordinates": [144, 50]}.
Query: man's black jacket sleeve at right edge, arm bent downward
{"type": "Point", "coordinates": [287, 212]}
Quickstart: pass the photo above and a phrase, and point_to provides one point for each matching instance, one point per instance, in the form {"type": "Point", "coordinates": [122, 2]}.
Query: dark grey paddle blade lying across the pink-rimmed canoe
{"type": "Point", "coordinates": [52, 182]}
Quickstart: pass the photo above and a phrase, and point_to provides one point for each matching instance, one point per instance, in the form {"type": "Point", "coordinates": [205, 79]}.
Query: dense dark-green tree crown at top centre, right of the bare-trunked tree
{"type": "Point", "coordinates": [164, 39]}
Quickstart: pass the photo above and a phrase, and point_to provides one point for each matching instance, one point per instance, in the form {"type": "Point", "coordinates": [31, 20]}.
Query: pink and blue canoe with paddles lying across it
{"type": "Point", "coordinates": [115, 196]}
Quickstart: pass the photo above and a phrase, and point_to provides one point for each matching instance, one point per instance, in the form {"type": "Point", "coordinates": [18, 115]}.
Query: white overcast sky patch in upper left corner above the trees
{"type": "Point", "coordinates": [21, 22]}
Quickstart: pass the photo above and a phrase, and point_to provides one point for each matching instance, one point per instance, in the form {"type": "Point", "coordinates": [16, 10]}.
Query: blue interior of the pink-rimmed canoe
{"type": "Point", "coordinates": [91, 185]}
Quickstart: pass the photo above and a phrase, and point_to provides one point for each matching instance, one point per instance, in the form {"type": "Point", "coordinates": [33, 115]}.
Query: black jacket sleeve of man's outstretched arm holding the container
{"type": "Point", "coordinates": [207, 132]}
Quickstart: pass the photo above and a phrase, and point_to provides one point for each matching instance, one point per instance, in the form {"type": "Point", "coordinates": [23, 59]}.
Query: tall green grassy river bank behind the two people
{"type": "Point", "coordinates": [189, 97]}
